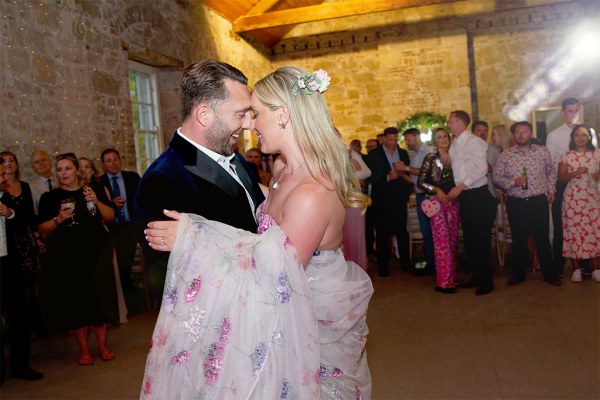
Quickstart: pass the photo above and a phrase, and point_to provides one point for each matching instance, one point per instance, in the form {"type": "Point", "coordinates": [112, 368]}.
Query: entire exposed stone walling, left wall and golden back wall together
{"type": "Point", "coordinates": [64, 65]}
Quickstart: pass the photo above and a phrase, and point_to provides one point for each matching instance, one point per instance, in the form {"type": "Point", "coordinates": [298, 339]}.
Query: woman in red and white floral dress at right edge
{"type": "Point", "coordinates": [581, 202]}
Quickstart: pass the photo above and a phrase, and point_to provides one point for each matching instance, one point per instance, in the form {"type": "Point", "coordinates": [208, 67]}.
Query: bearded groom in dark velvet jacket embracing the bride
{"type": "Point", "coordinates": [199, 173]}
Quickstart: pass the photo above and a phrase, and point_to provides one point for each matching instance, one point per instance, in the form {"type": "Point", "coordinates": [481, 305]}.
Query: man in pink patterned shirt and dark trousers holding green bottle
{"type": "Point", "coordinates": [527, 174]}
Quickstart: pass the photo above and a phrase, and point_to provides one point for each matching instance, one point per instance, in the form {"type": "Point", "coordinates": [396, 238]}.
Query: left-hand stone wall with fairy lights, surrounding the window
{"type": "Point", "coordinates": [64, 81]}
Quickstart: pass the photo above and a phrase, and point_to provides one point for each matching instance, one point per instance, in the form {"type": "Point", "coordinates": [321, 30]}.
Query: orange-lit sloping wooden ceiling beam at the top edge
{"type": "Point", "coordinates": [324, 11]}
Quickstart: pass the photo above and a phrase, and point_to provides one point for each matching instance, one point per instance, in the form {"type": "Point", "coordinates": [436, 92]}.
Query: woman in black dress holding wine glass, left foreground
{"type": "Point", "coordinates": [78, 287]}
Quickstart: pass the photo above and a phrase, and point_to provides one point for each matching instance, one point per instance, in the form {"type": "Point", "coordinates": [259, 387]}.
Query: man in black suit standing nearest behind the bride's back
{"type": "Point", "coordinates": [391, 188]}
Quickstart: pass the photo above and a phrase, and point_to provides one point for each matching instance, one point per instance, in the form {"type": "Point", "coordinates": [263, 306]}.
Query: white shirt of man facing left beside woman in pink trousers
{"type": "Point", "coordinates": [468, 156]}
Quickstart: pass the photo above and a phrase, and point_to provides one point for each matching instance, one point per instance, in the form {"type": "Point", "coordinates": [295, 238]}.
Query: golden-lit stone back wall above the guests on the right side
{"type": "Point", "coordinates": [420, 62]}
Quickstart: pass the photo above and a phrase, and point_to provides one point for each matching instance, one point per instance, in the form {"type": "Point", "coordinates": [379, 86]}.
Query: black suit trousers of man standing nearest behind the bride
{"type": "Point", "coordinates": [391, 222]}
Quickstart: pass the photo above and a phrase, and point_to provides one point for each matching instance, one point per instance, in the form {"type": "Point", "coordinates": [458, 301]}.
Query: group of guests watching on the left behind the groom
{"type": "Point", "coordinates": [65, 266]}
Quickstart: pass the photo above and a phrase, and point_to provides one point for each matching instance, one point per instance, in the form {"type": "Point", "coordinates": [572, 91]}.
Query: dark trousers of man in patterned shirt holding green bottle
{"type": "Point", "coordinates": [530, 217]}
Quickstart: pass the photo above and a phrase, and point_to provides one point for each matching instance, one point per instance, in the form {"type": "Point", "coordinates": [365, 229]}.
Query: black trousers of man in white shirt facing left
{"type": "Point", "coordinates": [477, 214]}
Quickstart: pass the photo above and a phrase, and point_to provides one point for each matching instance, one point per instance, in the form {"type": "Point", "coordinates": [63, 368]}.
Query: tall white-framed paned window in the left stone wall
{"type": "Point", "coordinates": [146, 121]}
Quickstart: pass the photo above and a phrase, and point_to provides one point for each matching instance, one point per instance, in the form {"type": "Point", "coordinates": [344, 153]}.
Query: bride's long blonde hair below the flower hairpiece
{"type": "Point", "coordinates": [323, 149]}
